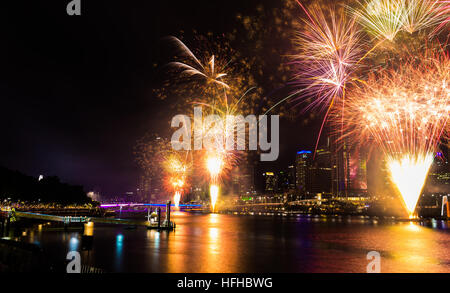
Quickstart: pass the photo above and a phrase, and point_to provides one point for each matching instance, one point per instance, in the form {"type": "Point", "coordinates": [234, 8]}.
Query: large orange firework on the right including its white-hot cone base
{"type": "Point", "coordinates": [406, 111]}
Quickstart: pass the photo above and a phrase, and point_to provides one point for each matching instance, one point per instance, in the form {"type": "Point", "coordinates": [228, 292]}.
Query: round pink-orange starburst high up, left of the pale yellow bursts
{"type": "Point", "coordinates": [329, 51]}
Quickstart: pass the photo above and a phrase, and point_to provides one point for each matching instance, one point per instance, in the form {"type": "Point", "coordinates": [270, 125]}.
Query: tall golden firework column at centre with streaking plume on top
{"type": "Point", "coordinates": [204, 83]}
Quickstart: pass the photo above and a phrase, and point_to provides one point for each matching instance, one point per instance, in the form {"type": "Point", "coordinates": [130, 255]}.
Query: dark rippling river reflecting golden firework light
{"type": "Point", "coordinates": [207, 243]}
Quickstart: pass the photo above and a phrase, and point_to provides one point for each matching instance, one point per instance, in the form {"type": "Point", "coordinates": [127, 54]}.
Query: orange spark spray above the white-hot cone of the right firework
{"type": "Point", "coordinates": [406, 109]}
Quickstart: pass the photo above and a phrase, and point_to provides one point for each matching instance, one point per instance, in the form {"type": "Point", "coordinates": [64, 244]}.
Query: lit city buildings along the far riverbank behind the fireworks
{"type": "Point", "coordinates": [305, 178]}
